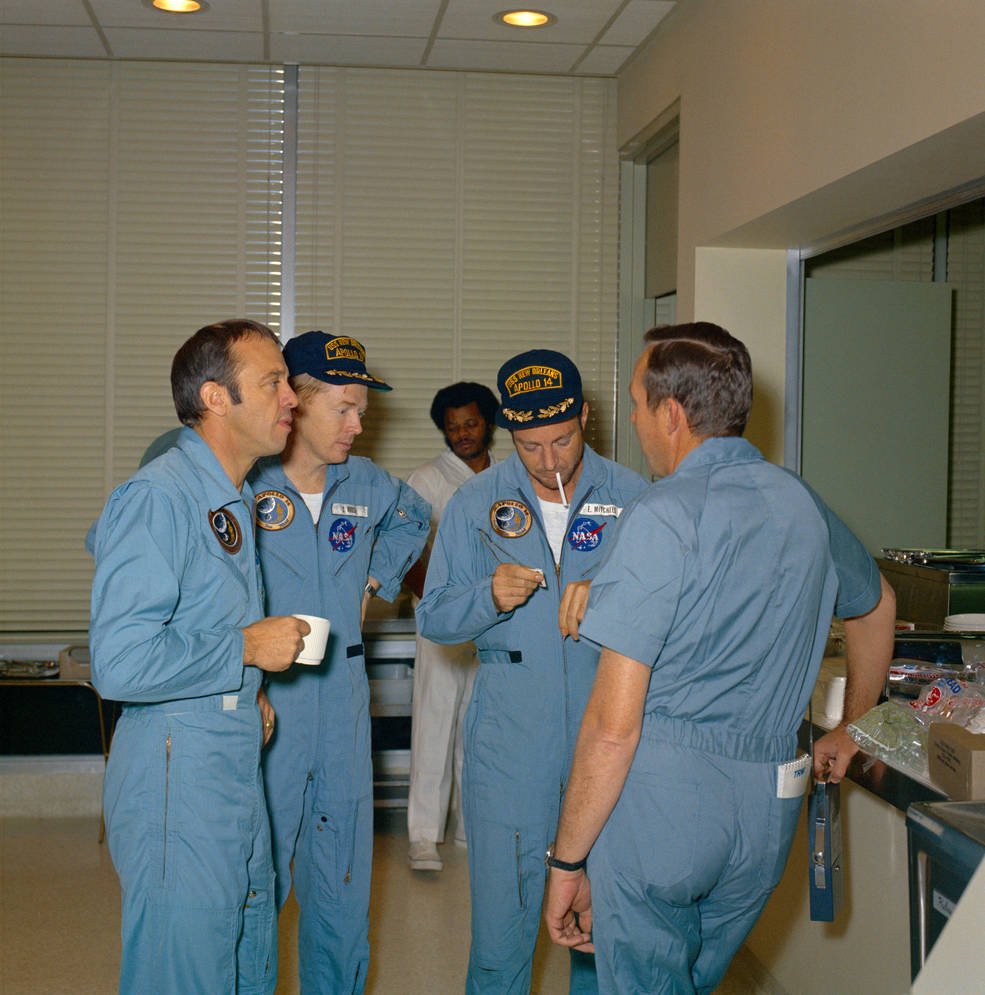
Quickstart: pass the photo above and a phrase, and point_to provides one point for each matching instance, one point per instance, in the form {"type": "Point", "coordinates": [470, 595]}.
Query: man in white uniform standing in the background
{"type": "Point", "coordinates": [443, 675]}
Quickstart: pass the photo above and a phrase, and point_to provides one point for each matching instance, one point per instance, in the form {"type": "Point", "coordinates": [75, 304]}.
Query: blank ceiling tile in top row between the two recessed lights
{"type": "Point", "coordinates": [345, 17]}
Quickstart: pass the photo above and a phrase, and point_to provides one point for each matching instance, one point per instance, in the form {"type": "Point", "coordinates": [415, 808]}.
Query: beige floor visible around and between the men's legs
{"type": "Point", "coordinates": [60, 908]}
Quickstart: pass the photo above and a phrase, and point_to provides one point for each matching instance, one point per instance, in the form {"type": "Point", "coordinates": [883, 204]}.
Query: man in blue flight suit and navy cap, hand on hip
{"type": "Point", "coordinates": [333, 530]}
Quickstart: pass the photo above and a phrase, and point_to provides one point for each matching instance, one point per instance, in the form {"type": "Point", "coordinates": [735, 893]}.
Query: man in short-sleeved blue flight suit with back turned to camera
{"type": "Point", "coordinates": [713, 606]}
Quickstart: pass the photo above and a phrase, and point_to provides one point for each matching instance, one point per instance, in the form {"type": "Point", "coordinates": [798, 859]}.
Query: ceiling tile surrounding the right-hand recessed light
{"type": "Point", "coordinates": [578, 21]}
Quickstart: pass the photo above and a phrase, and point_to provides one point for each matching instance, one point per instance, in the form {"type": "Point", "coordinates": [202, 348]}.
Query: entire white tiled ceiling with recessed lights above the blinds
{"type": "Point", "coordinates": [590, 37]}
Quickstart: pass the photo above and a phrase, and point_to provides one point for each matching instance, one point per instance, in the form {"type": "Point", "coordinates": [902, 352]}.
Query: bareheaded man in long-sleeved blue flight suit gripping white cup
{"type": "Point", "coordinates": [178, 635]}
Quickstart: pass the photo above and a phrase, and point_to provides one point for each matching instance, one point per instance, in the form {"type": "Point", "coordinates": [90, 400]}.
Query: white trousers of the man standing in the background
{"type": "Point", "coordinates": [443, 679]}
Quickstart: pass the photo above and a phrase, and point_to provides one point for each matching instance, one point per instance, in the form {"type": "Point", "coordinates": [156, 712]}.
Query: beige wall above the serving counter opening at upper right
{"type": "Point", "coordinates": [800, 119]}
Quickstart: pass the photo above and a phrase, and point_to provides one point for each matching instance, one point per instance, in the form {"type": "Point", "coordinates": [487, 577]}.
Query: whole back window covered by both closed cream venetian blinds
{"type": "Point", "coordinates": [447, 220]}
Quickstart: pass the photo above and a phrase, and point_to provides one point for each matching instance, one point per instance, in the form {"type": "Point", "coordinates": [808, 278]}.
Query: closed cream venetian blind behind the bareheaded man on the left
{"type": "Point", "coordinates": [138, 201]}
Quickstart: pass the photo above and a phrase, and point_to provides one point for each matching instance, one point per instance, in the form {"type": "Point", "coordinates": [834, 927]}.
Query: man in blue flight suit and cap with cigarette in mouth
{"type": "Point", "coordinates": [514, 557]}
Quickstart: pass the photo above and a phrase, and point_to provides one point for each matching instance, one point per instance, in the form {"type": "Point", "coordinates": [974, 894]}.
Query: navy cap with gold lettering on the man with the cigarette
{"type": "Point", "coordinates": [538, 387]}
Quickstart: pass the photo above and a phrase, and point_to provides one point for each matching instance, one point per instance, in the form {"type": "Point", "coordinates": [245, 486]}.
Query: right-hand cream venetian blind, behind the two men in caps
{"type": "Point", "coordinates": [450, 220]}
